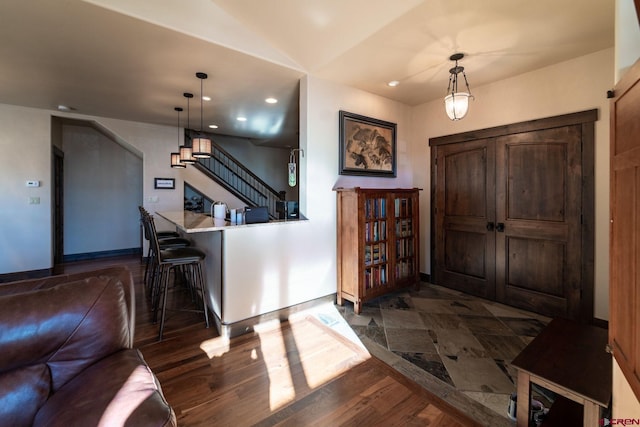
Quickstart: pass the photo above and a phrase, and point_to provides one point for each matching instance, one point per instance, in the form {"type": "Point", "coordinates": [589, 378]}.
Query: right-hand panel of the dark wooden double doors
{"type": "Point", "coordinates": [538, 176]}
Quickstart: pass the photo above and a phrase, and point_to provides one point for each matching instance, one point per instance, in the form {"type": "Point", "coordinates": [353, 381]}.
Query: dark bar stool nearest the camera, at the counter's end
{"type": "Point", "coordinates": [189, 261]}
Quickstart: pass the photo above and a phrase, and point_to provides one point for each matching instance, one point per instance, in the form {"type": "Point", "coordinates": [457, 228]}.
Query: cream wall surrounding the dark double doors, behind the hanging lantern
{"type": "Point", "coordinates": [575, 85]}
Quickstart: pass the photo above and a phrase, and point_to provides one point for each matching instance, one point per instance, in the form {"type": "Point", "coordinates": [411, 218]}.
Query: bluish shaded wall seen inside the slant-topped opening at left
{"type": "Point", "coordinates": [102, 191]}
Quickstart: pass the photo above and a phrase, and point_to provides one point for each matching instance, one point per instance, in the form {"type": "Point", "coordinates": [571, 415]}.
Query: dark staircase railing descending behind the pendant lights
{"type": "Point", "coordinates": [223, 168]}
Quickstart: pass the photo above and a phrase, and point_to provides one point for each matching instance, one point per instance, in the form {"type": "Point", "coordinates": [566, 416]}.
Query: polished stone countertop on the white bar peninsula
{"type": "Point", "coordinates": [193, 222]}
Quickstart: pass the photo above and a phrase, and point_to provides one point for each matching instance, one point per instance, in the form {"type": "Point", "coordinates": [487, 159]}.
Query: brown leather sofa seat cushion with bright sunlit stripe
{"type": "Point", "coordinates": [118, 390]}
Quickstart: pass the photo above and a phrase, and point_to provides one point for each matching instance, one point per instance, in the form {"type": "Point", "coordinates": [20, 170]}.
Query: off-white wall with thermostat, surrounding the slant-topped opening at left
{"type": "Point", "coordinates": [26, 229]}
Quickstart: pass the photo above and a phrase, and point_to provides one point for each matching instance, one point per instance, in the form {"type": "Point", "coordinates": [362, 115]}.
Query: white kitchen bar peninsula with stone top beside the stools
{"type": "Point", "coordinates": [255, 272]}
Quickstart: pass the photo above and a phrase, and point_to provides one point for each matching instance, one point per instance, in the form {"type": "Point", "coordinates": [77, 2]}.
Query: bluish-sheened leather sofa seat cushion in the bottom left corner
{"type": "Point", "coordinates": [24, 391]}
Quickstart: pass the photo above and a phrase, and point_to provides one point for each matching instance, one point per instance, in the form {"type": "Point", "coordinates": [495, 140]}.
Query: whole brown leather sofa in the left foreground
{"type": "Point", "coordinates": [67, 356]}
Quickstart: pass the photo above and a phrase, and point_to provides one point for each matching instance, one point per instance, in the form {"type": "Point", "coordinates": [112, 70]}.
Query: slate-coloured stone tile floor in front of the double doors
{"type": "Point", "coordinates": [464, 341]}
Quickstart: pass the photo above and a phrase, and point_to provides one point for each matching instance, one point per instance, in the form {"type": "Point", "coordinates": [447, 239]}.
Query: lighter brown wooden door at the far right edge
{"type": "Point", "coordinates": [624, 270]}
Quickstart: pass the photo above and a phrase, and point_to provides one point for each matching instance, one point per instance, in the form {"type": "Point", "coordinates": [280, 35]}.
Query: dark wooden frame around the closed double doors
{"type": "Point", "coordinates": [586, 119]}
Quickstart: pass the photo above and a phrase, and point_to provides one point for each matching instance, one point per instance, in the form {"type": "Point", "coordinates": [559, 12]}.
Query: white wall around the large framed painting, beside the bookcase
{"type": "Point", "coordinates": [320, 102]}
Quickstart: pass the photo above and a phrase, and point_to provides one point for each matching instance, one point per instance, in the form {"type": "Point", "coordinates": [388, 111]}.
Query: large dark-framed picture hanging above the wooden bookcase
{"type": "Point", "coordinates": [367, 146]}
